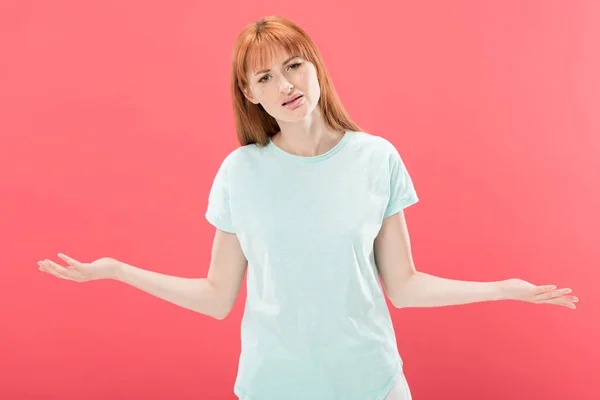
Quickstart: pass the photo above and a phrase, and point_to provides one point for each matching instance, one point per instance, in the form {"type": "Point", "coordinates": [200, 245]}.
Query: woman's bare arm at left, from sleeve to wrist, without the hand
{"type": "Point", "coordinates": [214, 295]}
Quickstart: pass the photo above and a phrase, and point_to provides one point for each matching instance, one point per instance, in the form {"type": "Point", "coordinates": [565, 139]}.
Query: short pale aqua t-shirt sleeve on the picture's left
{"type": "Point", "coordinates": [218, 211]}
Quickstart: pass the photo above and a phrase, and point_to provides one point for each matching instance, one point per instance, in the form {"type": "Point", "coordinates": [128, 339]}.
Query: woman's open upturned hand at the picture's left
{"type": "Point", "coordinates": [103, 268]}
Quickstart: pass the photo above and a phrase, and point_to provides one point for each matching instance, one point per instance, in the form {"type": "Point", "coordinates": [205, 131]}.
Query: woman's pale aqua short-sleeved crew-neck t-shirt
{"type": "Point", "coordinates": [316, 324]}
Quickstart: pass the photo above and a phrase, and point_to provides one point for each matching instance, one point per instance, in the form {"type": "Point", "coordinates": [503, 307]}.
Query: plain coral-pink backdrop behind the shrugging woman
{"type": "Point", "coordinates": [115, 116]}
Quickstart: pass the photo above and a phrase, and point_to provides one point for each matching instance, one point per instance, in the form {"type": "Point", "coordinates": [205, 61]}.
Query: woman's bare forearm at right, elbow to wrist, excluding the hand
{"type": "Point", "coordinates": [424, 290]}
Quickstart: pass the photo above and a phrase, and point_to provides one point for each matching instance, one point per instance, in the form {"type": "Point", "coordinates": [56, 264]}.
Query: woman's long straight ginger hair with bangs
{"type": "Point", "coordinates": [256, 46]}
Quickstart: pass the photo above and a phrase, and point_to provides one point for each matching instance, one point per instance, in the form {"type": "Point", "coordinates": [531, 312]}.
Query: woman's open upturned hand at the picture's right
{"type": "Point", "coordinates": [518, 289]}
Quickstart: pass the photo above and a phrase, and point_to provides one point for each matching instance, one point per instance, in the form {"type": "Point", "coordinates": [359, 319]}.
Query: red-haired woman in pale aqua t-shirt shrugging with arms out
{"type": "Point", "coordinates": [314, 207]}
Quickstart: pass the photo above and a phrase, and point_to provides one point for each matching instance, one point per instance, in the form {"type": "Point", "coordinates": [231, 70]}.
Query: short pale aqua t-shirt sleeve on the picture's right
{"type": "Point", "coordinates": [402, 191]}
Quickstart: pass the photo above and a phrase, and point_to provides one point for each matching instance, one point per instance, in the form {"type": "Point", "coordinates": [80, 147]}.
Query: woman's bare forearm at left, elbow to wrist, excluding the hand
{"type": "Point", "coordinates": [196, 294]}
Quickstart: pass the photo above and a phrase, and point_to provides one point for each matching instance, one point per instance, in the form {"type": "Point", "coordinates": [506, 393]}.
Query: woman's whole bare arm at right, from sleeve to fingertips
{"type": "Point", "coordinates": [407, 287]}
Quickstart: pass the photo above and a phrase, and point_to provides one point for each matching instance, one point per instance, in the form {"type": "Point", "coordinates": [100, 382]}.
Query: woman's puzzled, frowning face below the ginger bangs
{"type": "Point", "coordinates": [288, 76]}
